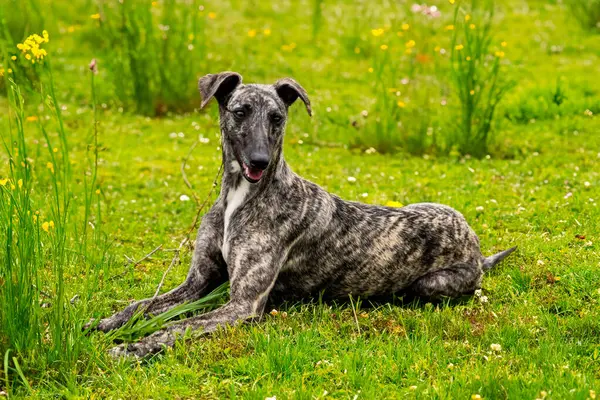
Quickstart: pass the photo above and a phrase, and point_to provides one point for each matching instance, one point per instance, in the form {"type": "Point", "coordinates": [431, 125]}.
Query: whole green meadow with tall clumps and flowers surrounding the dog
{"type": "Point", "coordinates": [490, 107]}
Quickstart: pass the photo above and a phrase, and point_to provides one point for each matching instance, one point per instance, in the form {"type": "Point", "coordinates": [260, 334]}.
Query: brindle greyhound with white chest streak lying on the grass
{"type": "Point", "coordinates": [274, 235]}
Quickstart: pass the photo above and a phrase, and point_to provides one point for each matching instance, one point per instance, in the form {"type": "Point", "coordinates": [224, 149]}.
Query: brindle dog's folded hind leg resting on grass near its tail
{"type": "Point", "coordinates": [448, 282]}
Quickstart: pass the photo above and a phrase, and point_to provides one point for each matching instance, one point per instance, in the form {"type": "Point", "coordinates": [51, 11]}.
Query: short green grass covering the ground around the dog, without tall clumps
{"type": "Point", "coordinates": [538, 189]}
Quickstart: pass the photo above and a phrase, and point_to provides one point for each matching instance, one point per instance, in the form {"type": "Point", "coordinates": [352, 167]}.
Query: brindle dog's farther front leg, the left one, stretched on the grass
{"type": "Point", "coordinates": [208, 270]}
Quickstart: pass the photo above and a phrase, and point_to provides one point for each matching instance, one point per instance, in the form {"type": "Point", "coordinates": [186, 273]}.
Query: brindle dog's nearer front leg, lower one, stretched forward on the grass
{"type": "Point", "coordinates": [253, 275]}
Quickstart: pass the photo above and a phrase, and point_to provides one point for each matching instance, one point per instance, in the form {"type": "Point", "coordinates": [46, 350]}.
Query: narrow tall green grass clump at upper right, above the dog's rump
{"type": "Point", "coordinates": [477, 75]}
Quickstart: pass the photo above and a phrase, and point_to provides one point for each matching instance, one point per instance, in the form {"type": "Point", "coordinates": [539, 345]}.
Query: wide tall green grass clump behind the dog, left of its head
{"type": "Point", "coordinates": [154, 50]}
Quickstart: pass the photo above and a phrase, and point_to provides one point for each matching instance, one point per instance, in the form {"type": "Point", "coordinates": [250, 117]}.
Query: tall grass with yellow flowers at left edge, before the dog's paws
{"type": "Point", "coordinates": [43, 236]}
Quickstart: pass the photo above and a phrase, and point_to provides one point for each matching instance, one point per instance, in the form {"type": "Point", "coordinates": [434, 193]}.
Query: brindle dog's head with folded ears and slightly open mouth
{"type": "Point", "coordinates": [252, 117]}
